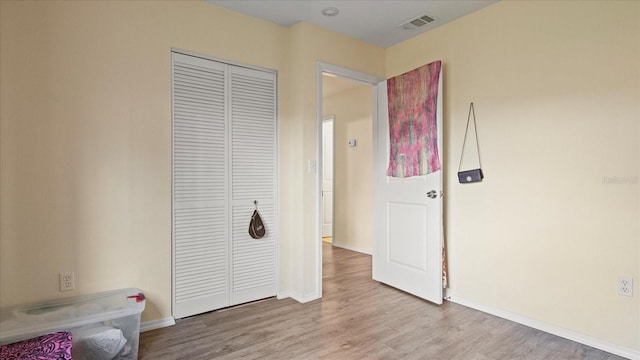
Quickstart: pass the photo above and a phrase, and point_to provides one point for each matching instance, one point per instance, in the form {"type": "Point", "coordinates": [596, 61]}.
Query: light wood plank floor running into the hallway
{"type": "Point", "coordinates": [357, 318]}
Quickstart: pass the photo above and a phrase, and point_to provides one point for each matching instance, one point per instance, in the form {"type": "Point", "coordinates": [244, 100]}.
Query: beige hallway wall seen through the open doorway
{"type": "Point", "coordinates": [352, 206]}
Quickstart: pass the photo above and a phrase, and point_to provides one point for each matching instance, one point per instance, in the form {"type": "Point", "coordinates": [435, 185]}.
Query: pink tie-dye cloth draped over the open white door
{"type": "Point", "coordinates": [412, 100]}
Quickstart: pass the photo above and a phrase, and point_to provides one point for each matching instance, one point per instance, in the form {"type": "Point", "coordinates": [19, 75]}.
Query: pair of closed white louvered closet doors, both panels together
{"type": "Point", "coordinates": [224, 163]}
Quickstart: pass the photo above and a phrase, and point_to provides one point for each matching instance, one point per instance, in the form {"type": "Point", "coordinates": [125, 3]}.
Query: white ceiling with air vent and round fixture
{"type": "Point", "coordinates": [374, 21]}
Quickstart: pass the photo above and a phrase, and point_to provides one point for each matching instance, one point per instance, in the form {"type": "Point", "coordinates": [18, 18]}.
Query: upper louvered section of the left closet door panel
{"type": "Point", "coordinates": [199, 131]}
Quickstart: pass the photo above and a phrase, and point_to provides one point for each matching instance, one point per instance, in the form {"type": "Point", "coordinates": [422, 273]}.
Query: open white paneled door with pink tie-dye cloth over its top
{"type": "Point", "coordinates": [407, 222]}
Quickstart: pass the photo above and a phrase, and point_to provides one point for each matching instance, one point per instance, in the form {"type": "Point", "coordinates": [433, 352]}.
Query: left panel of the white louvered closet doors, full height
{"type": "Point", "coordinates": [200, 186]}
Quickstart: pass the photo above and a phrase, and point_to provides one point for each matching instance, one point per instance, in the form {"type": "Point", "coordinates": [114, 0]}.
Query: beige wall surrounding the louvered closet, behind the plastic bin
{"type": "Point", "coordinates": [86, 138]}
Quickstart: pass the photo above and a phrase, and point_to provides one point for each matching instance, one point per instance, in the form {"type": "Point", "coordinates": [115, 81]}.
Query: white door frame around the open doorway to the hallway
{"type": "Point", "coordinates": [357, 76]}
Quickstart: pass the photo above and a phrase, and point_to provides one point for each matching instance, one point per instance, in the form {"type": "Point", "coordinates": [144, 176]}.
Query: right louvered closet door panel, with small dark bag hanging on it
{"type": "Point", "coordinates": [254, 169]}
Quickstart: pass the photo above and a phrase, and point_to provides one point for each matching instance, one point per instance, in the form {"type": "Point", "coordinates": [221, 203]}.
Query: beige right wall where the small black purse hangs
{"type": "Point", "coordinates": [556, 90]}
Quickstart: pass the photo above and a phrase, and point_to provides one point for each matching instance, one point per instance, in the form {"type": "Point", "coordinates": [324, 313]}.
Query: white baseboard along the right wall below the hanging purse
{"type": "Point", "coordinates": [549, 328]}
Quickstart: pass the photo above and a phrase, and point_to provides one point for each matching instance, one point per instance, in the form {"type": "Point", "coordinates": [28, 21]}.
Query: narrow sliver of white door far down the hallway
{"type": "Point", "coordinates": [327, 177]}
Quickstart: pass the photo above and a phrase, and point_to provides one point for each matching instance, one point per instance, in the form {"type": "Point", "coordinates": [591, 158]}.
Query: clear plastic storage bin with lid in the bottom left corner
{"type": "Point", "coordinates": [104, 326]}
